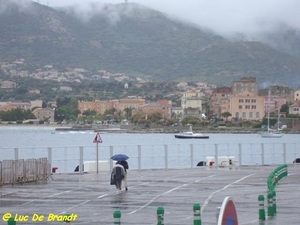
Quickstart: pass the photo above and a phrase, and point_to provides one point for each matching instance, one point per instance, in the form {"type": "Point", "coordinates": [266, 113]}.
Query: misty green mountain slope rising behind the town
{"type": "Point", "coordinates": [137, 41]}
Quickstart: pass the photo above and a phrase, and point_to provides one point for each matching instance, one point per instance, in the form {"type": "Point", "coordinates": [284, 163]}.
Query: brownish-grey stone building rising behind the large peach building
{"type": "Point", "coordinates": [245, 84]}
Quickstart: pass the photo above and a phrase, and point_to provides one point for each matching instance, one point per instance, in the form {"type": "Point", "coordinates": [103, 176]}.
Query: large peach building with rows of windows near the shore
{"type": "Point", "coordinates": [247, 106]}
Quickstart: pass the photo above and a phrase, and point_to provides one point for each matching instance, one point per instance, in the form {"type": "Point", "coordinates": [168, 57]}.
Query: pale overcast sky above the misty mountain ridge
{"type": "Point", "coordinates": [223, 16]}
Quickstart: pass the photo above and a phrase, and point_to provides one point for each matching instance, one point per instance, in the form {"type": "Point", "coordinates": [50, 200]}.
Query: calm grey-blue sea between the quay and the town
{"type": "Point", "coordinates": [34, 141]}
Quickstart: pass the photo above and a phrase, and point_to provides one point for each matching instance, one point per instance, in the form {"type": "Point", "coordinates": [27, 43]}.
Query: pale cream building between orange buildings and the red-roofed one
{"type": "Point", "coordinates": [192, 103]}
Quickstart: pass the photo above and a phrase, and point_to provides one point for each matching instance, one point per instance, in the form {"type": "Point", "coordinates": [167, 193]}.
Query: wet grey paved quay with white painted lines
{"type": "Point", "coordinates": [89, 199]}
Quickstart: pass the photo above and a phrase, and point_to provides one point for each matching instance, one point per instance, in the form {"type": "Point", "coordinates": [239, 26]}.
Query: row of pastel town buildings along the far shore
{"type": "Point", "coordinates": [242, 101]}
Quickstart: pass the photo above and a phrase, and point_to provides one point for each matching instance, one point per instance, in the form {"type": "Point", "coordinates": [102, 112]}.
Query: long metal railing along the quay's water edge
{"type": "Point", "coordinates": [170, 156]}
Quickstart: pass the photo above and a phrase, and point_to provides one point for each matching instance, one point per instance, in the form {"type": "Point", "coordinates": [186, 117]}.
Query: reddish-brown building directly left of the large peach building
{"type": "Point", "coordinates": [219, 101]}
